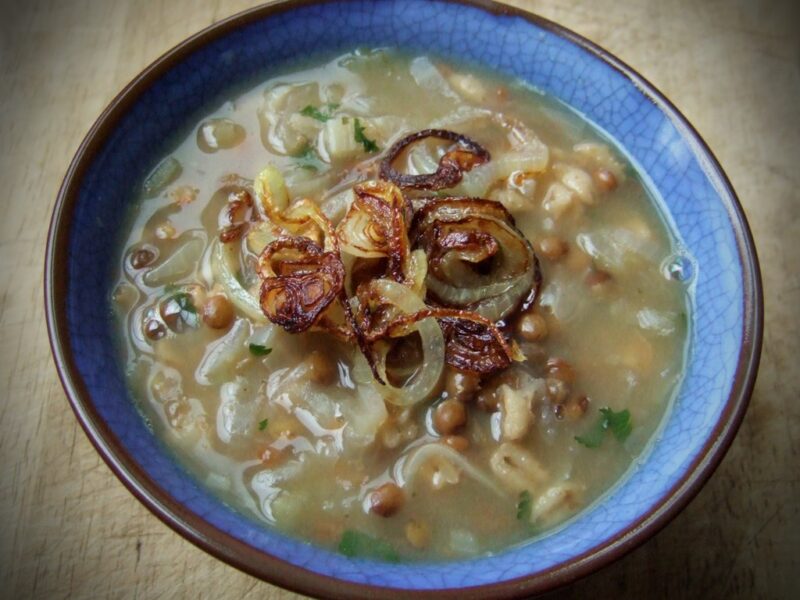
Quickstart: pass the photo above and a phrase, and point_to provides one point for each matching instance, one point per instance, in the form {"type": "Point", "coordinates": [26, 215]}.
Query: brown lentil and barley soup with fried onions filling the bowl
{"type": "Point", "coordinates": [400, 309]}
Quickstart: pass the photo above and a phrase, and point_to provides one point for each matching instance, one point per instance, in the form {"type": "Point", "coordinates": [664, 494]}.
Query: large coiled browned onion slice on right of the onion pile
{"type": "Point", "coordinates": [477, 259]}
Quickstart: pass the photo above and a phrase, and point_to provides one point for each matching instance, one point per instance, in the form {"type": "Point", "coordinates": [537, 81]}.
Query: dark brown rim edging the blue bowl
{"type": "Point", "coordinates": [278, 571]}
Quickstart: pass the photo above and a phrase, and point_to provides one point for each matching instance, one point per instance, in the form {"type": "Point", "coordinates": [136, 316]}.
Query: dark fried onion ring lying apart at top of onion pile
{"type": "Point", "coordinates": [466, 155]}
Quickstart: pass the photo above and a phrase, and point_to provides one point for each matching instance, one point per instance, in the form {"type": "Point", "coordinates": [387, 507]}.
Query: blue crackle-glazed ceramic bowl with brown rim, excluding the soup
{"type": "Point", "coordinates": [174, 92]}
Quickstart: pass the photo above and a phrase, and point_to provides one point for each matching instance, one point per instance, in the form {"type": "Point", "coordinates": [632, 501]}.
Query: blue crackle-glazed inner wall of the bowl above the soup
{"type": "Point", "coordinates": [674, 163]}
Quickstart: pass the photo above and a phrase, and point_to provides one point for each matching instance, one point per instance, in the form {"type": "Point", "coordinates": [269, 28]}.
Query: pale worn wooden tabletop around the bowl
{"type": "Point", "coordinates": [69, 528]}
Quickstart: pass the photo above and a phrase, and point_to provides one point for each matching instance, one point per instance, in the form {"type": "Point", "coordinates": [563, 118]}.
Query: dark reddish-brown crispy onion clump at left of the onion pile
{"type": "Point", "coordinates": [300, 281]}
